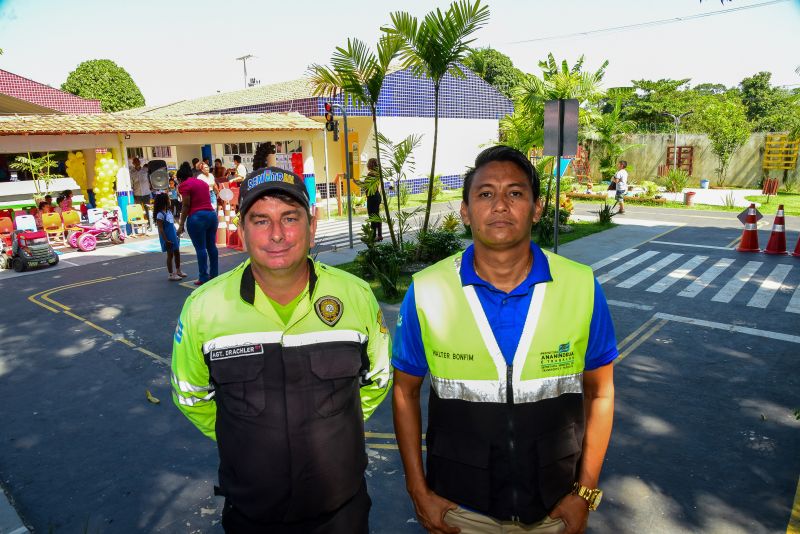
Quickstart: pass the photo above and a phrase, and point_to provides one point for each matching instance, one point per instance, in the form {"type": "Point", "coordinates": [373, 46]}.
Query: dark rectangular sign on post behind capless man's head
{"type": "Point", "coordinates": [560, 140]}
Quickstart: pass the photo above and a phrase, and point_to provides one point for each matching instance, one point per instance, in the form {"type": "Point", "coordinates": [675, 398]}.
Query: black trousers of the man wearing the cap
{"type": "Point", "coordinates": [351, 518]}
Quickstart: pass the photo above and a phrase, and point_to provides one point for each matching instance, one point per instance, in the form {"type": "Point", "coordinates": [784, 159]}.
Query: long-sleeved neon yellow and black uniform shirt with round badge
{"type": "Point", "coordinates": [285, 403]}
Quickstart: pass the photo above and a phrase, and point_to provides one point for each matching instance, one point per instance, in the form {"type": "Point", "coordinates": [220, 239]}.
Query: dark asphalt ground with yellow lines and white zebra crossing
{"type": "Point", "coordinates": [704, 437]}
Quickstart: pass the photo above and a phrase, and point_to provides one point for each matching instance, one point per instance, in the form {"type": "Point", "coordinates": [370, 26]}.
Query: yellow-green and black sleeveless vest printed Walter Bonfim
{"type": "Point", "coordinates": [505, 440]}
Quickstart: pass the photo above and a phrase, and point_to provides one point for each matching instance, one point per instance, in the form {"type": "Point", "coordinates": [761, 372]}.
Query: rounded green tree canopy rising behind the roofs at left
{"type": "Point", "coordinates": [104, 80]}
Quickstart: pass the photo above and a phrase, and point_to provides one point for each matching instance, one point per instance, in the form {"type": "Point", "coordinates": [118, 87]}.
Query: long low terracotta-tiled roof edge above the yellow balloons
{"type": "Point", "coordinates": [120, 123]}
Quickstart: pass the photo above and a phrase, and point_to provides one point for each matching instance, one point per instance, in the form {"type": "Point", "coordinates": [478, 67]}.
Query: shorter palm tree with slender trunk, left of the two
{"type": "Point", "coordinates": [359, 73]}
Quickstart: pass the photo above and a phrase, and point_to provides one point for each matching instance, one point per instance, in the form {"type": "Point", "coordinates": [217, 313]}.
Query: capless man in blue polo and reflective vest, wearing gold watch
{"type": "Point", "coordinates": [519, 344]}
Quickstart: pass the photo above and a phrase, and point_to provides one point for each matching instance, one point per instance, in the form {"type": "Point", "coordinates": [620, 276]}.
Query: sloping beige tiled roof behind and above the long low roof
{"type": "Point", "coordinates": [276, 92]}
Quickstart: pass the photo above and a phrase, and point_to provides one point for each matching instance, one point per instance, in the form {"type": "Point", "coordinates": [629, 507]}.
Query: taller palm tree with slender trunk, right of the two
{"type": "Point", "coordinates": [433, 48]}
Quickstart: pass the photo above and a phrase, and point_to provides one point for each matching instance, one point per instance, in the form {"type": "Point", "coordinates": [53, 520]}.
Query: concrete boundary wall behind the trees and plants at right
{"type": "Point", "coordinates": [744, 169]}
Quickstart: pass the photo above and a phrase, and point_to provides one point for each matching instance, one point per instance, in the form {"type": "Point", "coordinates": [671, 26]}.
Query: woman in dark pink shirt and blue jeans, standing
{"type": "Point", "coordinates": [200, 220]}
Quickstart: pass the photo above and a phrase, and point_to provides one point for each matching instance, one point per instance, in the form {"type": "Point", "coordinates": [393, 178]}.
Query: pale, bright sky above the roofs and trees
{"type": "Point", "coordinates": [179, 49]}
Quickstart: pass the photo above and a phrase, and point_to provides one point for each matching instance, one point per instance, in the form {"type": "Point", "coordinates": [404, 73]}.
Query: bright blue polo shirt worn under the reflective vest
{"type": "Point", "coordinates": [506, 313]}
